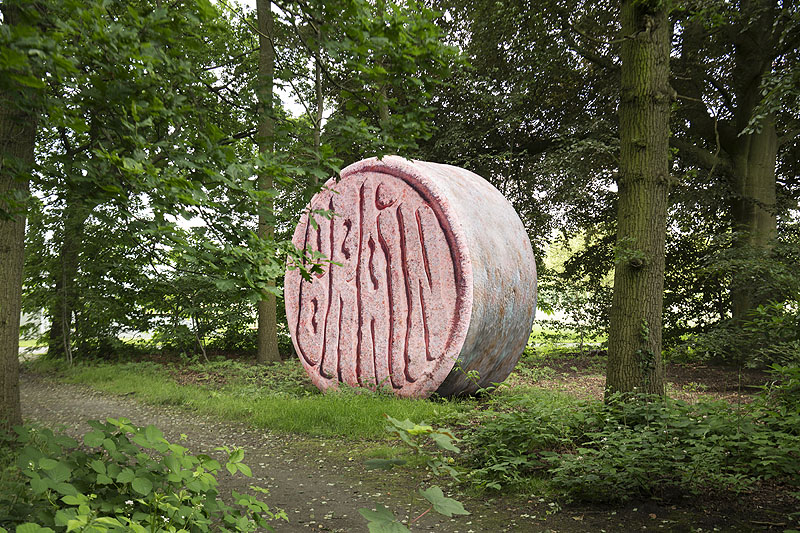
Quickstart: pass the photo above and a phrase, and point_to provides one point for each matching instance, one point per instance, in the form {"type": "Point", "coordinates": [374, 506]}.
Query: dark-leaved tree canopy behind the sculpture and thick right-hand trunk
{"type": "Point", "coordinates": [536, 115]}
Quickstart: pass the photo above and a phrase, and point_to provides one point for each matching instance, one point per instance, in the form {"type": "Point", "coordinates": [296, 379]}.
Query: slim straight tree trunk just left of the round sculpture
{"type": "Point", "coordinates": [267, 312]}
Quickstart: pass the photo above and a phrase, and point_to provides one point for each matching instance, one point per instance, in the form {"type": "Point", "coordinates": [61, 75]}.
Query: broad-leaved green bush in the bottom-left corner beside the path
{"type": "Point", "coordinates": [128, 478]}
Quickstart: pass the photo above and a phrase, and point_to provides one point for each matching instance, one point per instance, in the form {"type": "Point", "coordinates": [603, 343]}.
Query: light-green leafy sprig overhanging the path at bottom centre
{"type": "Point", "coordinates": [382, 520]}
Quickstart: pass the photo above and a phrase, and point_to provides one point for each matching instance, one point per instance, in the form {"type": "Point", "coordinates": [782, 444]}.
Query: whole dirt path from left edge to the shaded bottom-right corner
{"type": "Point", "coordinates": [321, 486]}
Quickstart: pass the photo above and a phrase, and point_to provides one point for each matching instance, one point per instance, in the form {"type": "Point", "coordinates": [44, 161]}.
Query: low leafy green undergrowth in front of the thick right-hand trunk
{"type": "Point", "coordinates": [640, 447]}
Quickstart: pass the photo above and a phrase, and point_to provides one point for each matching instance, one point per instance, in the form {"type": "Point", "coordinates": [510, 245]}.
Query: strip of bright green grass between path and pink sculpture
{"type": "Point", "coordinates": [344, 414]}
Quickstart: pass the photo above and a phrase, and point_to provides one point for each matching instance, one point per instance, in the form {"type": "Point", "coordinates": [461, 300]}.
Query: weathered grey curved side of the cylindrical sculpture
{"type": "Point", "coordinates": [503, 273]}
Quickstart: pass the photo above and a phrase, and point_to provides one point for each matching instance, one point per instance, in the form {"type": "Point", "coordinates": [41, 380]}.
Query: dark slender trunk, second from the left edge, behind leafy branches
{"type": "Point", "coordinates": [66, 297]}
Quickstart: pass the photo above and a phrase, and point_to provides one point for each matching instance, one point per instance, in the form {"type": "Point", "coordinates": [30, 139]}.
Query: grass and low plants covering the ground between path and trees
{"type": "Point", "coordinates": [536, 434]}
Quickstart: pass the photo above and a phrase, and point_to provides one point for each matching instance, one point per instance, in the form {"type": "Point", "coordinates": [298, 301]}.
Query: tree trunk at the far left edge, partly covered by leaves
{"type": "Point", "coordinates": [17, 141]}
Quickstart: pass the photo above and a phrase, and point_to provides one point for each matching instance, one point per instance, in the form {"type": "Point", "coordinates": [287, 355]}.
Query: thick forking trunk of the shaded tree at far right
{"type": "Point", "coordinates": [747, 161]}
